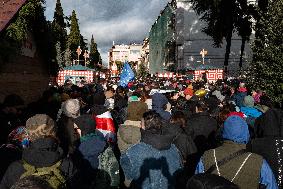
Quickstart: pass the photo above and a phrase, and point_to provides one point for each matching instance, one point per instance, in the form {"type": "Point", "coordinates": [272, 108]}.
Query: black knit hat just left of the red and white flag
{"type": "Point", "coordinates": [86, 124]}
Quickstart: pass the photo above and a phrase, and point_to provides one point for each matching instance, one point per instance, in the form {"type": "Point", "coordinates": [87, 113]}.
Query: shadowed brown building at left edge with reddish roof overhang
{"type": "Point", "coordinates": [22, 72]}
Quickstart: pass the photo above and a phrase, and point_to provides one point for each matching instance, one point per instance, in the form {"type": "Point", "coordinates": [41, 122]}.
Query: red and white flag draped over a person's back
{"type": "Point", "coordinates": [105, 124]}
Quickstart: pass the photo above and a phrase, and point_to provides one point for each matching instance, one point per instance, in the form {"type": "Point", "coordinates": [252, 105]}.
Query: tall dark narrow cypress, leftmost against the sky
{"type": "Point", "coordinates": [59, 26]}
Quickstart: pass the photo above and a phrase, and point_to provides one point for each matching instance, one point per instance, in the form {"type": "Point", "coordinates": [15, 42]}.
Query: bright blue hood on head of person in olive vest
{"type": "Point", "coordinates": [236, 129]}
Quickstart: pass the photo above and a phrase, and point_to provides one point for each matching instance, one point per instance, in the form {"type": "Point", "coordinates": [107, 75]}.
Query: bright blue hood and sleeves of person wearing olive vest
{"type": "Point", "coordinates": [236, 129]}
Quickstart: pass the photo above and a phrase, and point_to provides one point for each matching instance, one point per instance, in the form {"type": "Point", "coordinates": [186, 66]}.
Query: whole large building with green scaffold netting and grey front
{"type": "Point", "coordinates": [185, 36]}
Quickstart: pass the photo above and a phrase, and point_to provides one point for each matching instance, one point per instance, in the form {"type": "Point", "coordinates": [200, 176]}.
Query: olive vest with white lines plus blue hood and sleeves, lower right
{"type": "Point", "coordinates": [236, 134]}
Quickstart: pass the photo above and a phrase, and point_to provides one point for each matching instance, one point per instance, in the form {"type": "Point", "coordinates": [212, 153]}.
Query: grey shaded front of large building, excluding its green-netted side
{"type": "Point", "coordinates": [190, 40]}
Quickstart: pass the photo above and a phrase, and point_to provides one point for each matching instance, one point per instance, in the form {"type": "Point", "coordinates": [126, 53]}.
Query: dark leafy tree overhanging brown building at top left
{"type": "Point", "coordinates": [31, 19]}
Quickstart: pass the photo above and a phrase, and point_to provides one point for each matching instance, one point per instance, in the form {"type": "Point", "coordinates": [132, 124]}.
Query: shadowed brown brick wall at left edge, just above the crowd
{"type": "Point", "coordinates": [25, 76]}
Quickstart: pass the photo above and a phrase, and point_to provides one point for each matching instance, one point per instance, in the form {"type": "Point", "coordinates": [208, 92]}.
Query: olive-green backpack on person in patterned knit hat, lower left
{"type": "Point", "coordinates": [53, 175]}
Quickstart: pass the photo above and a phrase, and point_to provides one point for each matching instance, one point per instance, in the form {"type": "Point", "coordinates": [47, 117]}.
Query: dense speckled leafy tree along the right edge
{"type": "Point", "coordinates": [266, 69]}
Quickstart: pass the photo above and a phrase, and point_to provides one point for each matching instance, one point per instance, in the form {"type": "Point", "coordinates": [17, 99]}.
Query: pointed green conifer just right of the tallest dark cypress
{"type": "Point", "coordinates": [74, 38]}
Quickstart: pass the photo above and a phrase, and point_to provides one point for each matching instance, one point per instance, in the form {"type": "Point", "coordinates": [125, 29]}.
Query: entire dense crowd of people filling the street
{"type": "Point", "coordinates": [155, 133]}
